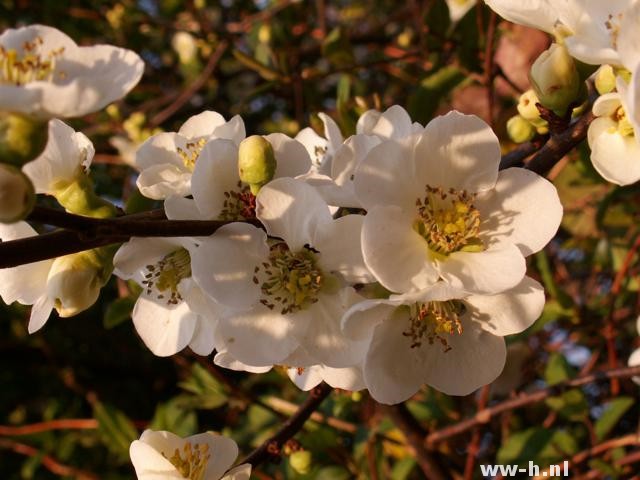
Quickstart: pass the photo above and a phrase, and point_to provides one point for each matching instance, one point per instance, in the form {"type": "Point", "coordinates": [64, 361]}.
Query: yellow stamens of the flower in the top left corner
{"type": "Point", "coordinates": [31, 66]}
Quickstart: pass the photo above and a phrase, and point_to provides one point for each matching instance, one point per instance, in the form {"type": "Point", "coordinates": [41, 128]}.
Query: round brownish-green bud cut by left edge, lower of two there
{"type": "Point", "coordinates": [17, 195]}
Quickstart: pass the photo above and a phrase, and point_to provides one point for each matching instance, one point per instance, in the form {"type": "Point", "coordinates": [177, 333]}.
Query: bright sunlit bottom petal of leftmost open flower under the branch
{"type": "Point", "coordinates": [164, 329]}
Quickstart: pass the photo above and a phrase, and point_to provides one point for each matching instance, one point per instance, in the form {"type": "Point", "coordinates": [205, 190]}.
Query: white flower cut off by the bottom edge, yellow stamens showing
{"type": "Point", "coordinates": [160, 455]}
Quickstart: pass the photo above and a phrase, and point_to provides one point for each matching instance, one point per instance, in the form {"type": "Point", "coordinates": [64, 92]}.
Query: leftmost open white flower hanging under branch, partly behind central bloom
{"type": "Point", "coordinates": [171, 312]}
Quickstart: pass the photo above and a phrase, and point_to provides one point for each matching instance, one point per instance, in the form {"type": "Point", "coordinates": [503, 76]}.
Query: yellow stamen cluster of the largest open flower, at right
{"type": "Point", "coordinates": [448, 221]}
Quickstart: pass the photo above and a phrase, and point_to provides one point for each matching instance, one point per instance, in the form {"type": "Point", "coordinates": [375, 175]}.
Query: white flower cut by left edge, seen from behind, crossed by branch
{"type": "Point", "coordinates": [69, 284]}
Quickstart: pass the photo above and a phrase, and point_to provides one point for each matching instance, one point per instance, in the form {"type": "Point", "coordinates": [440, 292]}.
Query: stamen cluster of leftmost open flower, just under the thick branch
{"type": "Point", "coordinates": [165, 276]}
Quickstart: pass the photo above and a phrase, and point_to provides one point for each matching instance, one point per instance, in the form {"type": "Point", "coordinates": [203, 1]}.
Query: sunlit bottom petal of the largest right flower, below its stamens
{"type": "Point", "coordinates": [491, 271]}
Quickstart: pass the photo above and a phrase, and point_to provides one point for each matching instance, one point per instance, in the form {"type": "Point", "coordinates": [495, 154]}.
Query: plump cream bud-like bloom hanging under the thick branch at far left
{"type": "Point", "coordinates": [75, 280]}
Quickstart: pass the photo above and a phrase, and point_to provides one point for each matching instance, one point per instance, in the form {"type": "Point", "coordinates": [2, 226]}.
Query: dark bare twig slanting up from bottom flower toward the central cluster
{"type": "Point", "coordinates": [272, 446]}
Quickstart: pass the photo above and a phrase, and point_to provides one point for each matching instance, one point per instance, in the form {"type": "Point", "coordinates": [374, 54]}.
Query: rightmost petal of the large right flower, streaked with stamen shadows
{"type": "Point", "coordinates": [524, 210]}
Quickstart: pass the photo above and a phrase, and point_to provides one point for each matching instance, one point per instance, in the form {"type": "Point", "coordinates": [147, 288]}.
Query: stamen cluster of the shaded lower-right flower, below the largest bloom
{"type": "Point", "coordinates": [433, 321]}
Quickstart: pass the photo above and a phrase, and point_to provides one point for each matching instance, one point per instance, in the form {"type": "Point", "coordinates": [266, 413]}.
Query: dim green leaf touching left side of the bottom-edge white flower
{"type": "Point", "coordinates": [116, 429]}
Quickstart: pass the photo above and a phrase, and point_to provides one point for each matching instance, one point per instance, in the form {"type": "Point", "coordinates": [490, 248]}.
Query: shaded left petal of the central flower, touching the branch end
{"type": "Point", "coordinates": [223, 265]}
